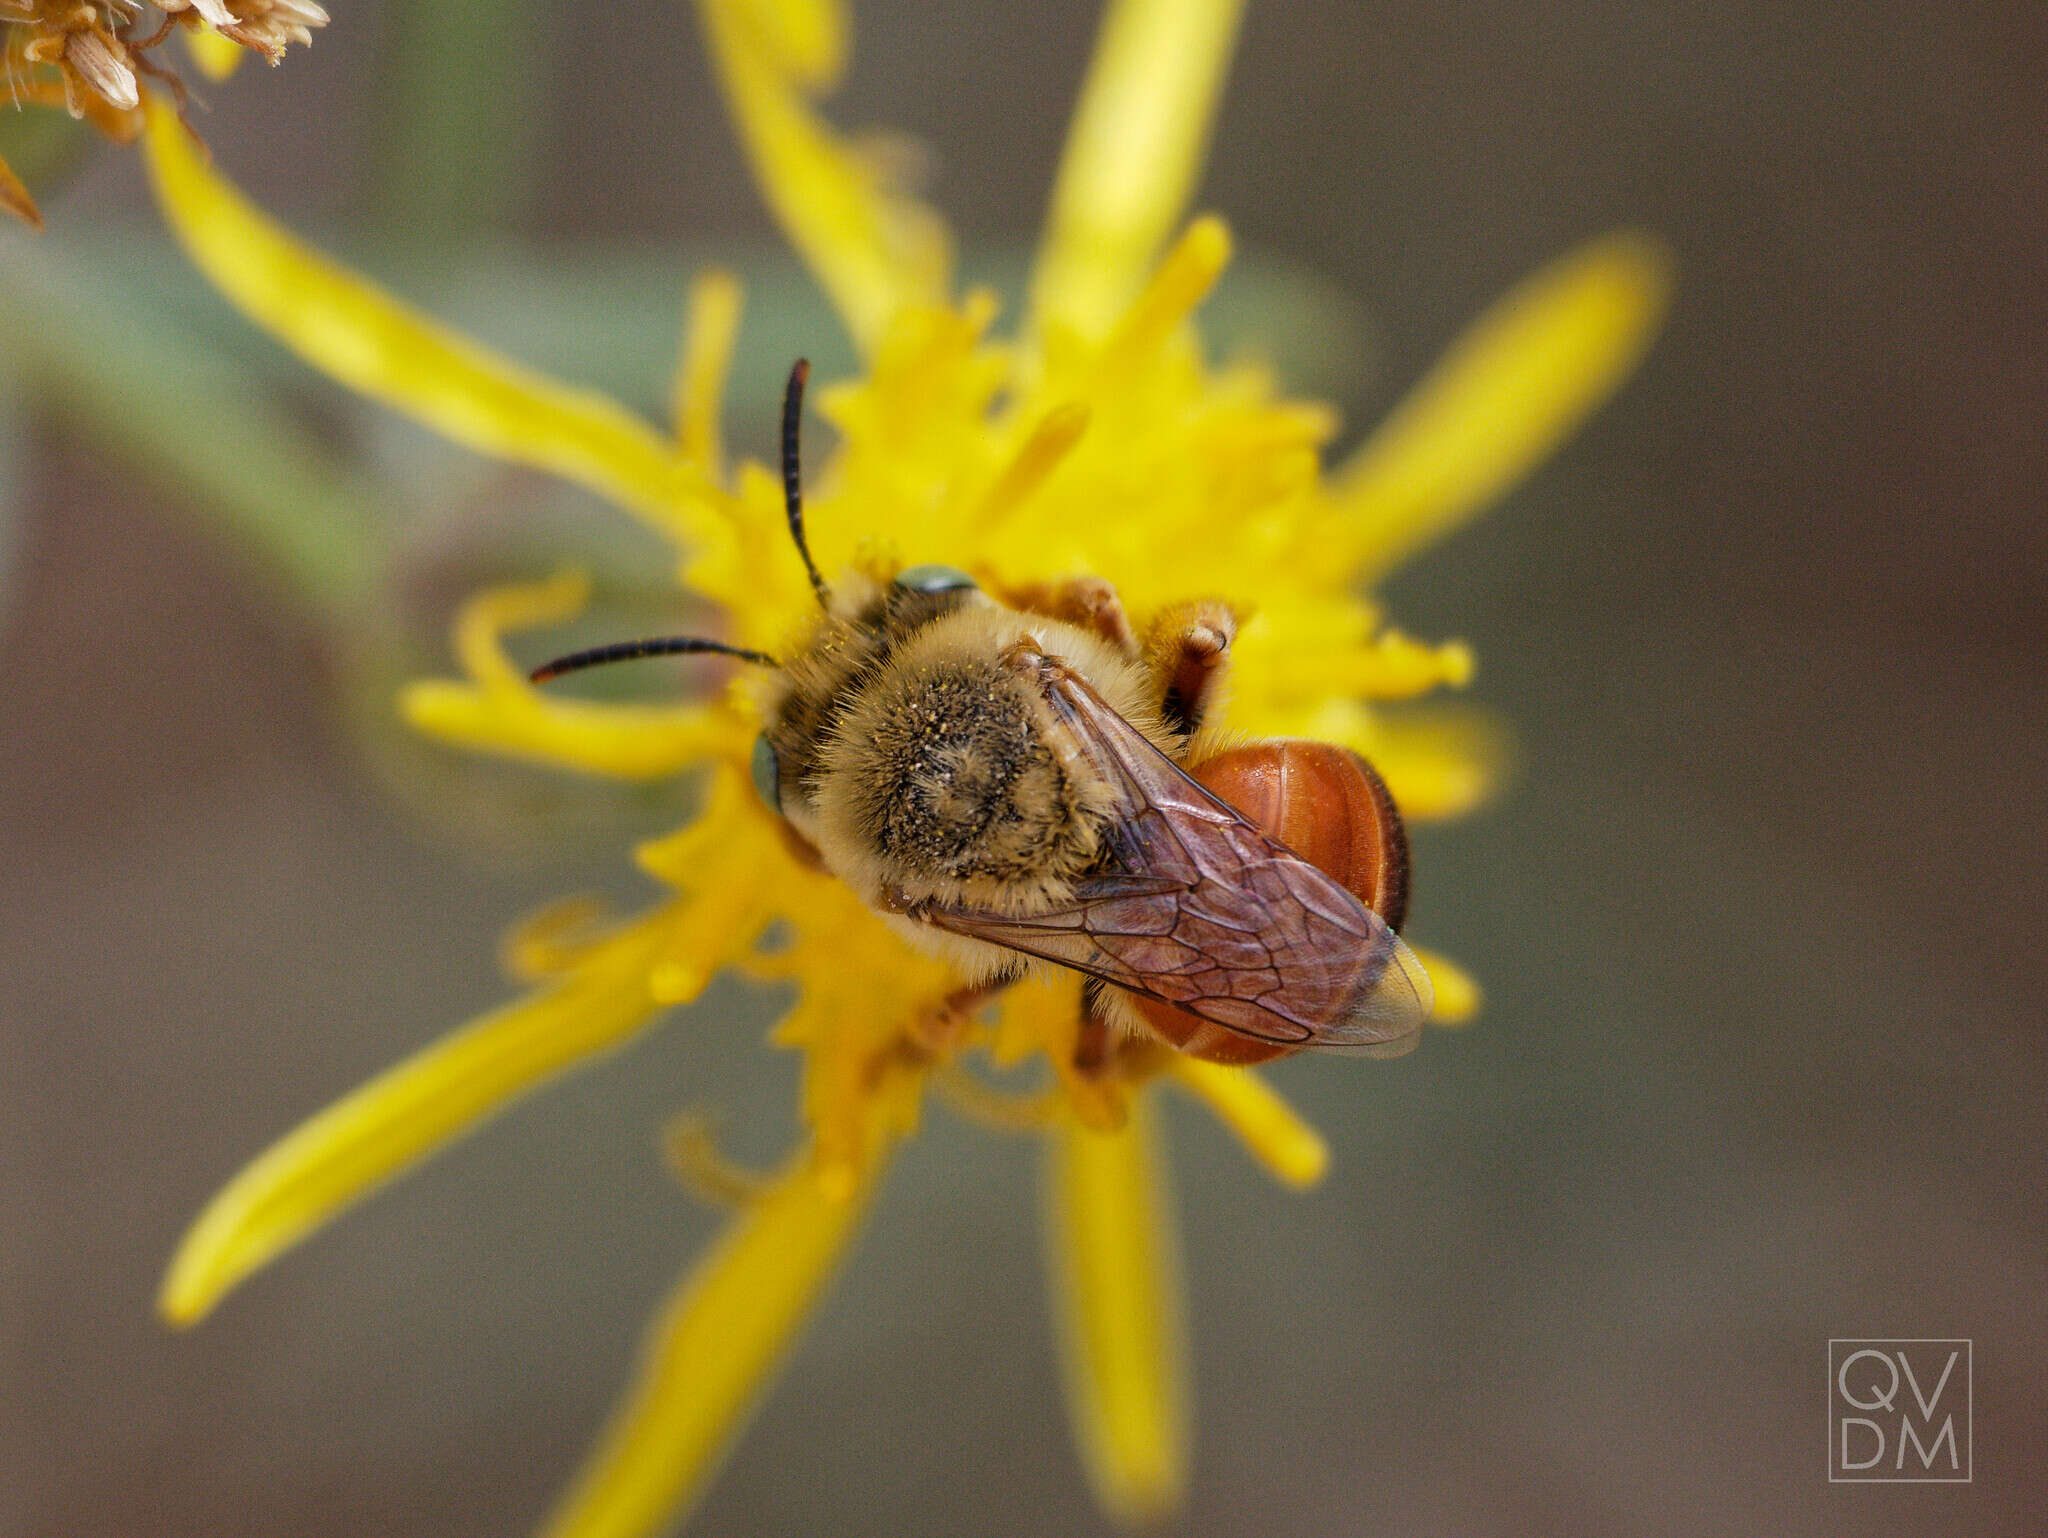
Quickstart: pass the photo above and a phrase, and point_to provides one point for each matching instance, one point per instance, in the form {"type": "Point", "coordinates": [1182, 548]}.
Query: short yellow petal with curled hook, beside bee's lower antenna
{"type": "Point", "coordinates": [499, 712]}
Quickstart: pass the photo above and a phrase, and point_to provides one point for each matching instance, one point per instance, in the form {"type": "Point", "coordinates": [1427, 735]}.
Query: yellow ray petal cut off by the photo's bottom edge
{"type": "Point", "coordinates": [710, 1355]}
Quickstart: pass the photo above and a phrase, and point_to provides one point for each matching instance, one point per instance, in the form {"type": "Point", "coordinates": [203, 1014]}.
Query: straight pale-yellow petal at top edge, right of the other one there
{"type": "Point", "coordinates": [1134, 157]}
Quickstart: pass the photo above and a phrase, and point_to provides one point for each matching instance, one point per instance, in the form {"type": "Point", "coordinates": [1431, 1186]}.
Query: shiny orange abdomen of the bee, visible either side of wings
{"type": "Point", "coordinates": [1332, 810]}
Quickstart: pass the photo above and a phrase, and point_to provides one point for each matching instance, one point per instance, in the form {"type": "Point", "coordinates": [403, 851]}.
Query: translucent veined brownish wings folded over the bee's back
{"type": "Point", "coordinates": [1207, 912]}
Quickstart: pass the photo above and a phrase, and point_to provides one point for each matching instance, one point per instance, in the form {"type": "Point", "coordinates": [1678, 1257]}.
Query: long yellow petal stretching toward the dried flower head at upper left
{"type": "Point", "coordinates": [359, 335]}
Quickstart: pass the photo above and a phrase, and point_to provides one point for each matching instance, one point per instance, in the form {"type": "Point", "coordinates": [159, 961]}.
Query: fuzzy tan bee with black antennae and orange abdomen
{"type": "Point", "coordinates": [1023, 779]}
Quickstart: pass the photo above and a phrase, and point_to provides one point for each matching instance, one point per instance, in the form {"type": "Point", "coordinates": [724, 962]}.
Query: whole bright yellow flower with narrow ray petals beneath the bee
{"type": "Point", "coordinates": [1089, 437]}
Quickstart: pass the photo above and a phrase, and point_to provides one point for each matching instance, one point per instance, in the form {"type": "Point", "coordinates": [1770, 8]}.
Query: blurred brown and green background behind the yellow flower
{"type": "Point", "coordinates": [1760, 921]}
